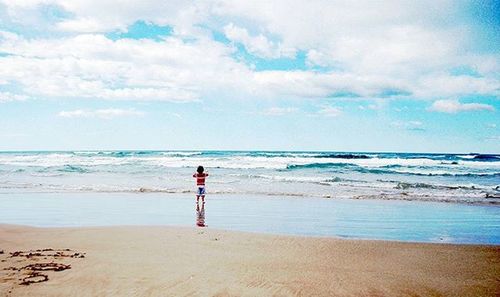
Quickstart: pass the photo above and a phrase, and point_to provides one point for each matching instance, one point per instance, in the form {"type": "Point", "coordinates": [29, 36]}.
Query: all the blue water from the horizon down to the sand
{"type": "Point", "coordinates": [393, 196]}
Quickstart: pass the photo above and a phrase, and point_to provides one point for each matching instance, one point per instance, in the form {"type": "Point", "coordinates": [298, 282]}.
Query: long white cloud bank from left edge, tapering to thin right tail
{"type": "Point", "coordinates": [93, 66]}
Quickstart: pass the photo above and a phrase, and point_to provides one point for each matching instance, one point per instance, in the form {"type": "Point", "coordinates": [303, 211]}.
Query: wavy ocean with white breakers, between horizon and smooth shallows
{"type": "Point", "coordinates": [462, 178]}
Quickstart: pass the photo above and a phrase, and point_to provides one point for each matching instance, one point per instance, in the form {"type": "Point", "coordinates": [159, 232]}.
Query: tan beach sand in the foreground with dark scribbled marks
{"type": "Point", "coordinates": [183, 261]}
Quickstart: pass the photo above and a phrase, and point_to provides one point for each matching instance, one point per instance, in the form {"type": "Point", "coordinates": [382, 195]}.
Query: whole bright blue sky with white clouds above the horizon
{"type": "Point", "coordinates": [398, 76]}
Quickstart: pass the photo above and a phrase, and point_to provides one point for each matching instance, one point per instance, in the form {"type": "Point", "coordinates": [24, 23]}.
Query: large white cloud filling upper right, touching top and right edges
{"type": "Point", "coordinates": [375, 42]}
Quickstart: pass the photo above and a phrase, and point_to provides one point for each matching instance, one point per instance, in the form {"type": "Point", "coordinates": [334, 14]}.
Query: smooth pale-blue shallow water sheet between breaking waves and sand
{"type": "Point", "coordinates": [366, 219]}
